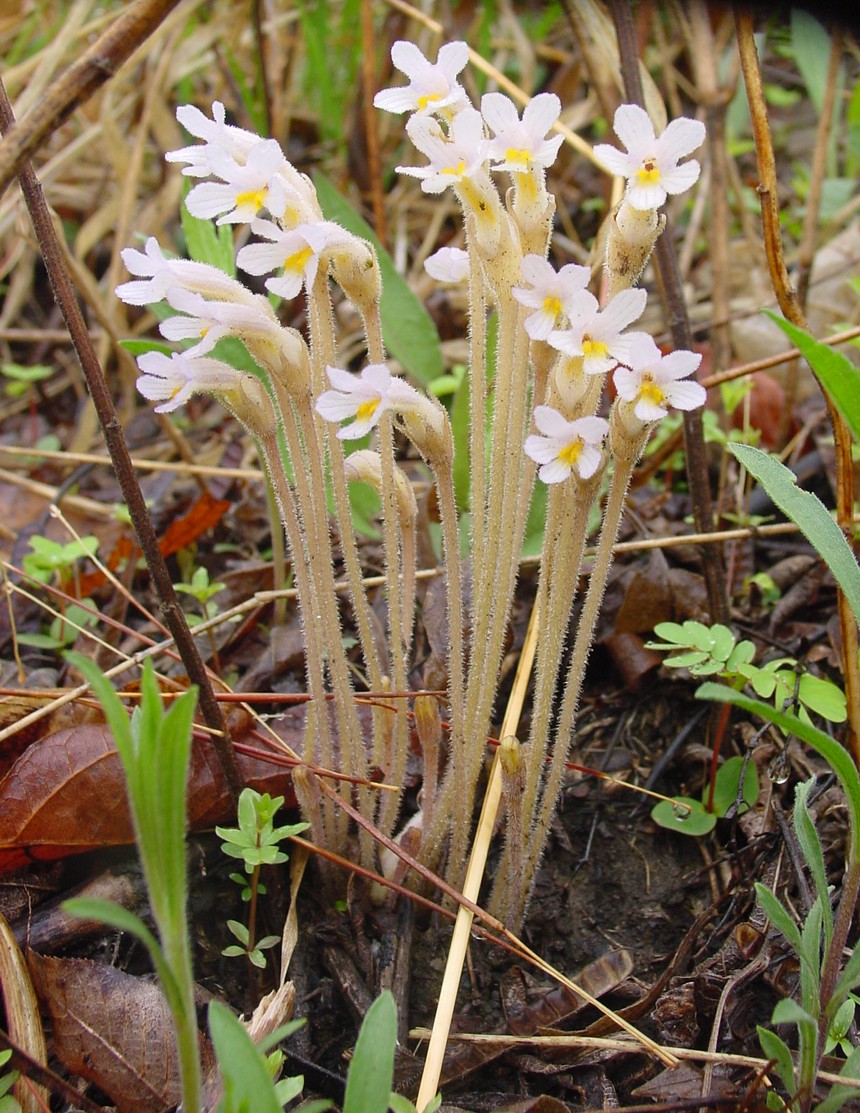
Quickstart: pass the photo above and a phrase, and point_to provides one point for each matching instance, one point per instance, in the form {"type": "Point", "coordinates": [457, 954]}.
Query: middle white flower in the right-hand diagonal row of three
{"type": "Point", "coordinates": [597, 334]}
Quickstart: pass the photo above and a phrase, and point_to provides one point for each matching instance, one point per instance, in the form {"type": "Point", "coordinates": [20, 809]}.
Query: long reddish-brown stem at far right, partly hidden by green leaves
{"type": "Point", "coordinates": [793, 310]}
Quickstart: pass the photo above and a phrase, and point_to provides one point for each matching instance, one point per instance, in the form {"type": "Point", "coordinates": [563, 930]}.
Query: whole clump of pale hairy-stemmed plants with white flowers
{"type": "Point", "coordinates": [556, 347]}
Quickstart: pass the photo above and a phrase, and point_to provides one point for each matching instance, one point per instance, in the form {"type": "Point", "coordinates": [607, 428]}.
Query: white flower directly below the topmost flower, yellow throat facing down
{"type": "Point", "coordinates": [453, 159]}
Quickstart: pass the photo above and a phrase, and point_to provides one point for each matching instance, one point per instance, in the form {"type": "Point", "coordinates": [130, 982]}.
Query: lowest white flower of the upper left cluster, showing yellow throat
{"type": "Point", "coordinates": [296, 253]}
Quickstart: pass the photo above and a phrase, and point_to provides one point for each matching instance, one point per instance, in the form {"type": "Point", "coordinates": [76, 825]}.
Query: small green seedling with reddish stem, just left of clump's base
{"type": "Point", "coordinates": [256, 842]}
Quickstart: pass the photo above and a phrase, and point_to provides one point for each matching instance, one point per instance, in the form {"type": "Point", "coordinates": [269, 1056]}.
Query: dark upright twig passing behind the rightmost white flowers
{"type": "Point", "coordinates": [679, 324]}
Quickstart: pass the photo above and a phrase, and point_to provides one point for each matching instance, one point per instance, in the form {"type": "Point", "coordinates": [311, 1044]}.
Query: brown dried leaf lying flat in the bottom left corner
{"type": "Point", "coordinates": [114, 1030]}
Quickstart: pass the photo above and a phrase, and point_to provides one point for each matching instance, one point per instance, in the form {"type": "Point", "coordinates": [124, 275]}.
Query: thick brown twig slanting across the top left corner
{"type": "Point", "coordinates": [78, 84]}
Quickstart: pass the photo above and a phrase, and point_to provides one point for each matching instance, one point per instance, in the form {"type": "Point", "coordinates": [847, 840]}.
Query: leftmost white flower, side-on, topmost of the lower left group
{"type": "Point", "coordinates": [159, 274]}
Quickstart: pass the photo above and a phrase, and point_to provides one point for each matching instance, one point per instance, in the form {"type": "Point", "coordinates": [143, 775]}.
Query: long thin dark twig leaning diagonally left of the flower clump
{"type": "Point", "coordinates": [64, 293]}
